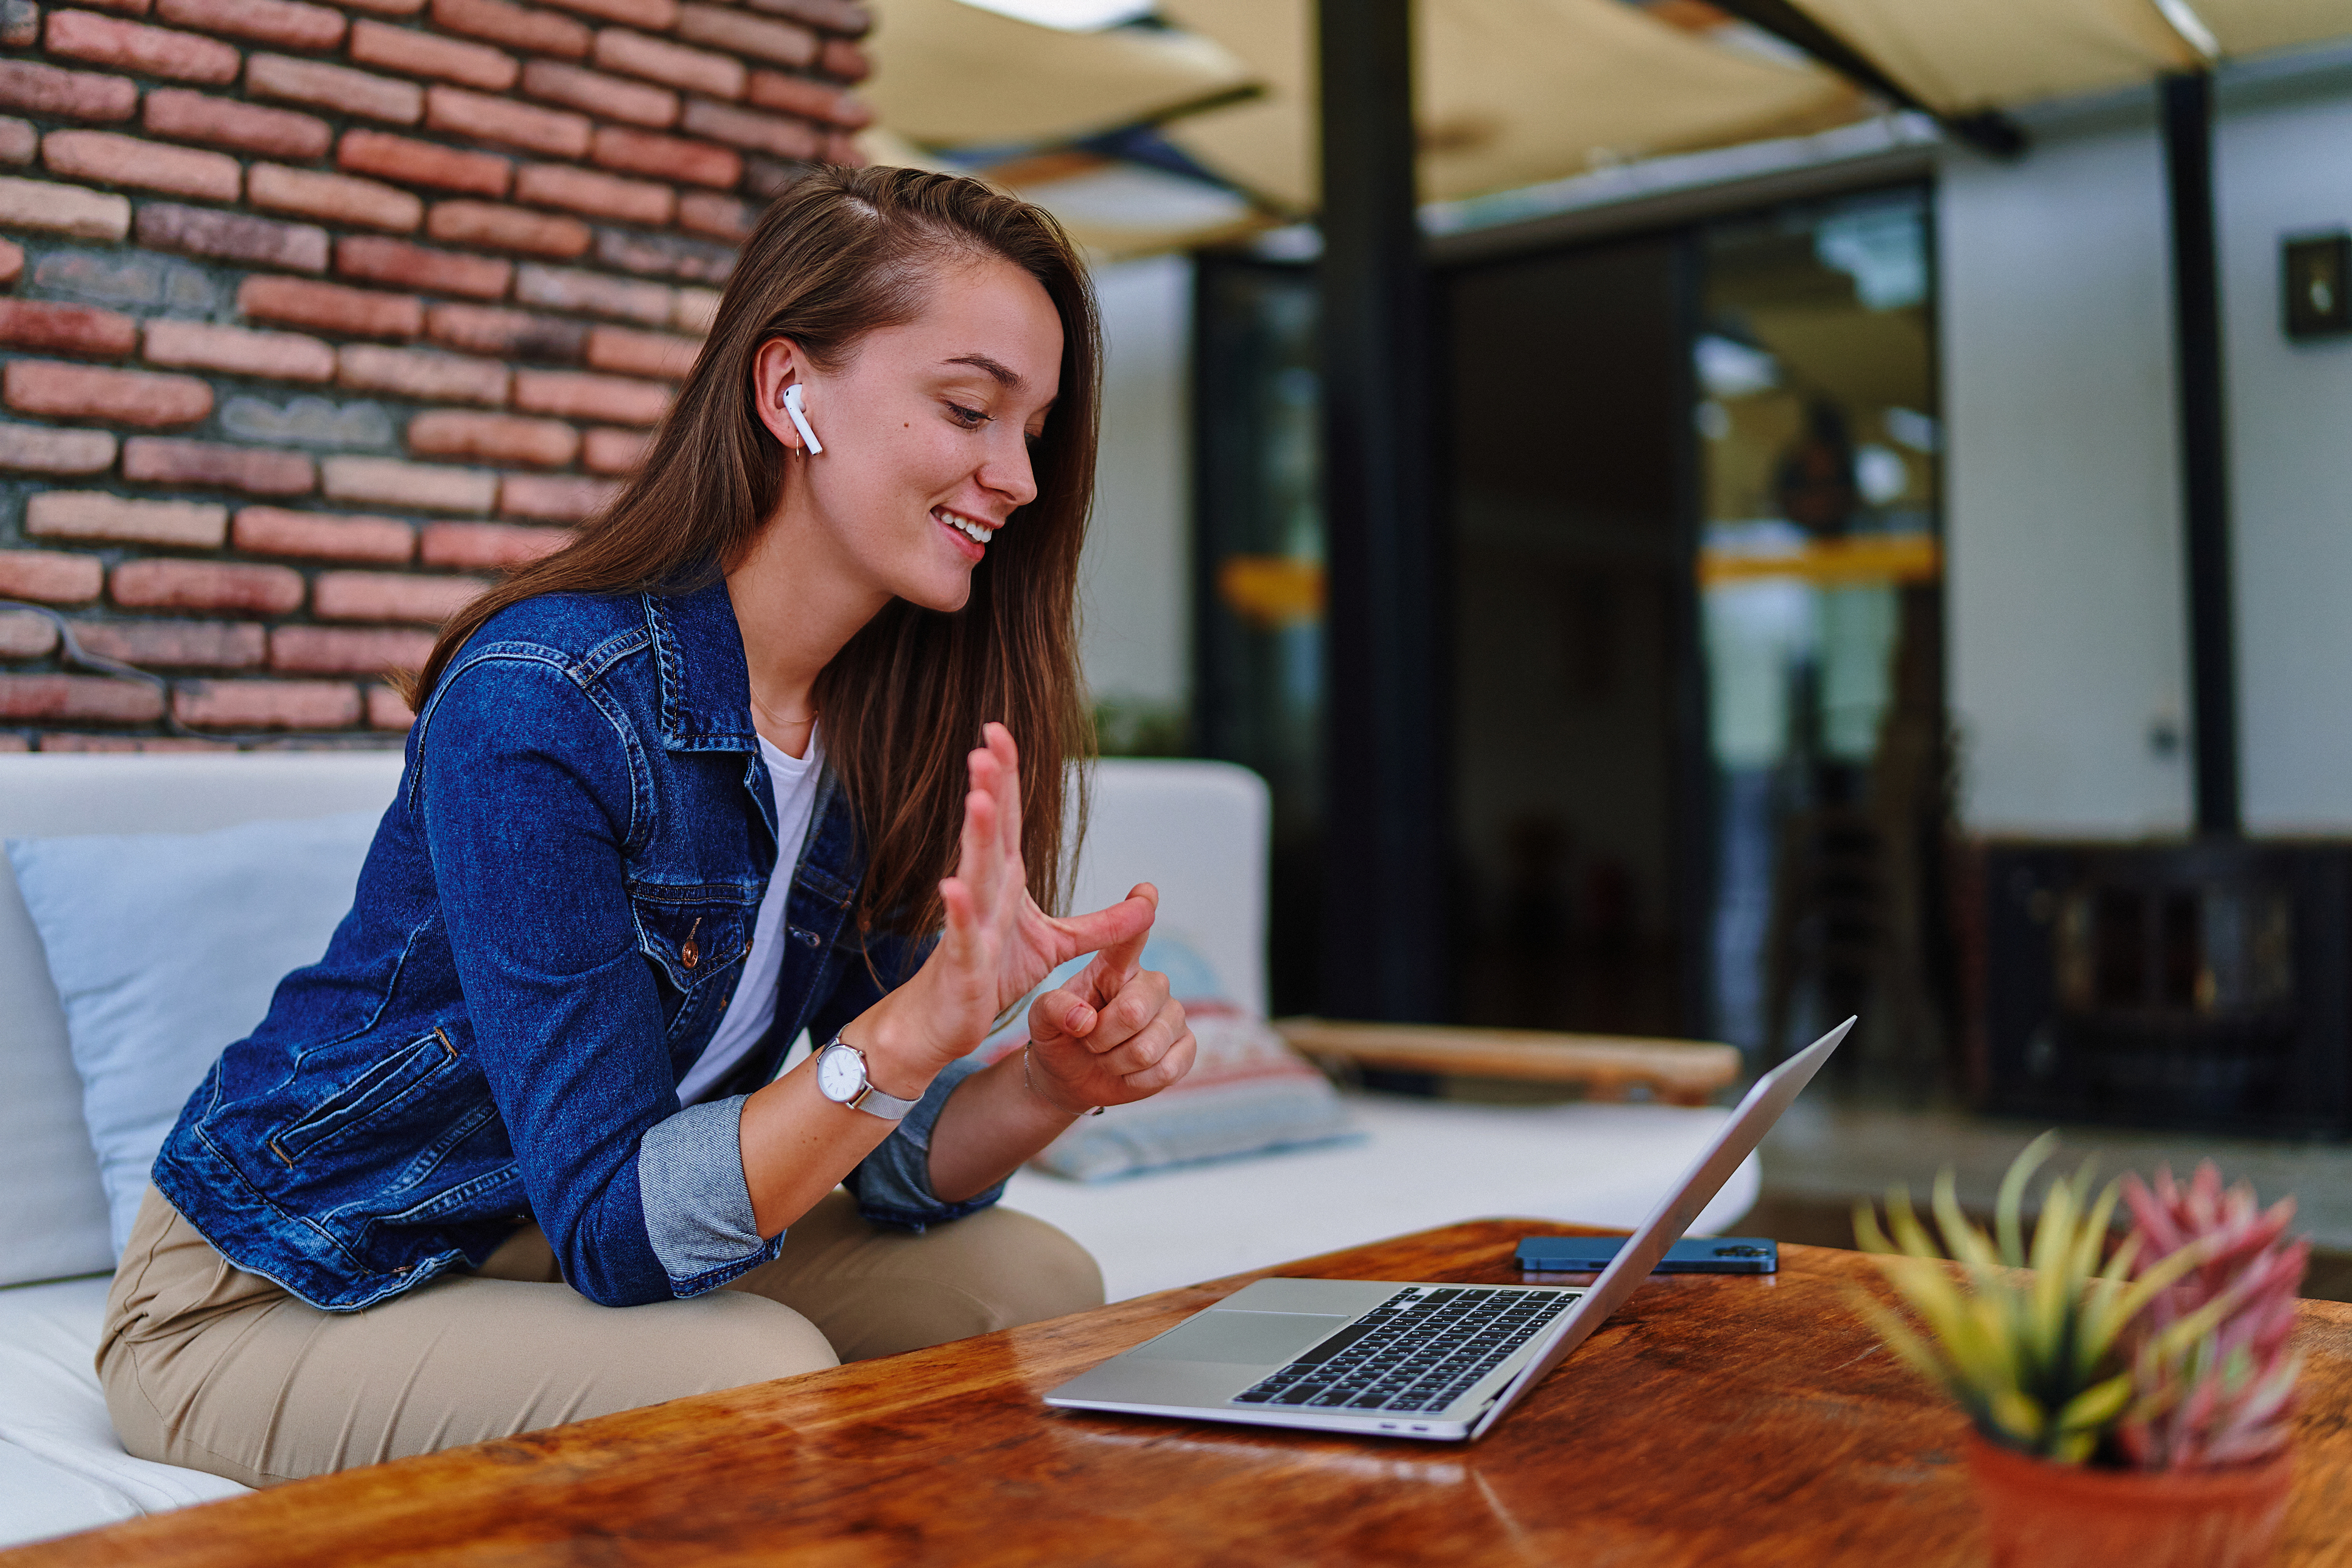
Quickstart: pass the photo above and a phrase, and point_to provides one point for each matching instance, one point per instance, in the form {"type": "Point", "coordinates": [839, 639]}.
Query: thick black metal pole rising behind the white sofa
{"type": "Point", "coordinates": [1387, 746]}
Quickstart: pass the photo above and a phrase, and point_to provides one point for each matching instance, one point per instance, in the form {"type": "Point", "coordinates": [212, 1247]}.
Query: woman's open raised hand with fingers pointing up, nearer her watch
{"type": "Point", "coordinates": [998, 942]}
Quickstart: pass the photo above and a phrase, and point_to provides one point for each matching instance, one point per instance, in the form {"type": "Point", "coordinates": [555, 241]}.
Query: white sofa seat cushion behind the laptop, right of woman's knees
{"type": "Point", "coordinates": [1424, 1162]}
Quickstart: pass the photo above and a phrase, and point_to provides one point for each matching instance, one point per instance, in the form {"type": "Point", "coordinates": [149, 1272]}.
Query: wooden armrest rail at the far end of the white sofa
{"type": "Point", "coordinates": [1608, 1066]}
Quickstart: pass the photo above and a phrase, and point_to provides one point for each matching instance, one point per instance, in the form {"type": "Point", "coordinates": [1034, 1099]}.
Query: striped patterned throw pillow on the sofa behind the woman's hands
{"type": "Point", "coordinates": [1248, 1092]}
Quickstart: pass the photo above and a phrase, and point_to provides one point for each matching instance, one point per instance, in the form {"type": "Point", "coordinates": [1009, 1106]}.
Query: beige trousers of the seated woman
{"type": "Point", "coordinates": [225, 1372]}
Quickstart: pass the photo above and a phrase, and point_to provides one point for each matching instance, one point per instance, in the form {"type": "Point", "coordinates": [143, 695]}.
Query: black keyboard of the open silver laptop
{"type": "Point", "coordinates": [1419, 1351]}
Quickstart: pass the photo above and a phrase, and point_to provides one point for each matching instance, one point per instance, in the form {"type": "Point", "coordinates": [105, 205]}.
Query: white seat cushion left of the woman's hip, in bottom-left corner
{"type": "Point", "coordinates": [60, 1463]}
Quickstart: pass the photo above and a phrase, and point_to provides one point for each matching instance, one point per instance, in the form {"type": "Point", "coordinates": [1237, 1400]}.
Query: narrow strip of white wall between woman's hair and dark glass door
{"type": "Point", "coordinates": [1137, 579]}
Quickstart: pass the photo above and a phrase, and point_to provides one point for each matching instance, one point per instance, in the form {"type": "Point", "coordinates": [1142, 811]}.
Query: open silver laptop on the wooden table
{"type": "Point", "coordinates": [1410, 1360]}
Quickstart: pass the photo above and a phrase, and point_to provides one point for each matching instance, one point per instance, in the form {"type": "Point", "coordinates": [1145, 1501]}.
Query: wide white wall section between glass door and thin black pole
{"type": "Point", "coordinates": [2066, 622]}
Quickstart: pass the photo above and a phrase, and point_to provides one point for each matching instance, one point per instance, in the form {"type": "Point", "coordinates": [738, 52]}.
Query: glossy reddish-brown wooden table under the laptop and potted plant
{"type": "Point", "coordinates": [1713, 1421]}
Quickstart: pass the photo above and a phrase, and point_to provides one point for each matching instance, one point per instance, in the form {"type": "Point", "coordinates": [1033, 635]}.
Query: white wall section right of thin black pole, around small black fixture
{"type": "Point", "coordinates": [2285, 170]}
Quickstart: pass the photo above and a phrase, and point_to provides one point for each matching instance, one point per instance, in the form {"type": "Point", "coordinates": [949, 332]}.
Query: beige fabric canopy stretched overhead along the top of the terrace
{"type": "Point", "coordinates": [1516, 93]}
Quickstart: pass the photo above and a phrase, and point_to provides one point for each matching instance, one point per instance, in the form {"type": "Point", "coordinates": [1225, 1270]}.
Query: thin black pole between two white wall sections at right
{"type": "Point", "coordinates": [2205, 457]}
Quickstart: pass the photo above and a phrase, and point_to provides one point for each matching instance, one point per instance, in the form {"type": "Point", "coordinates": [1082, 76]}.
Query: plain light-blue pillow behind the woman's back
{"type": "Point", "coordinates": [166, 949]}
